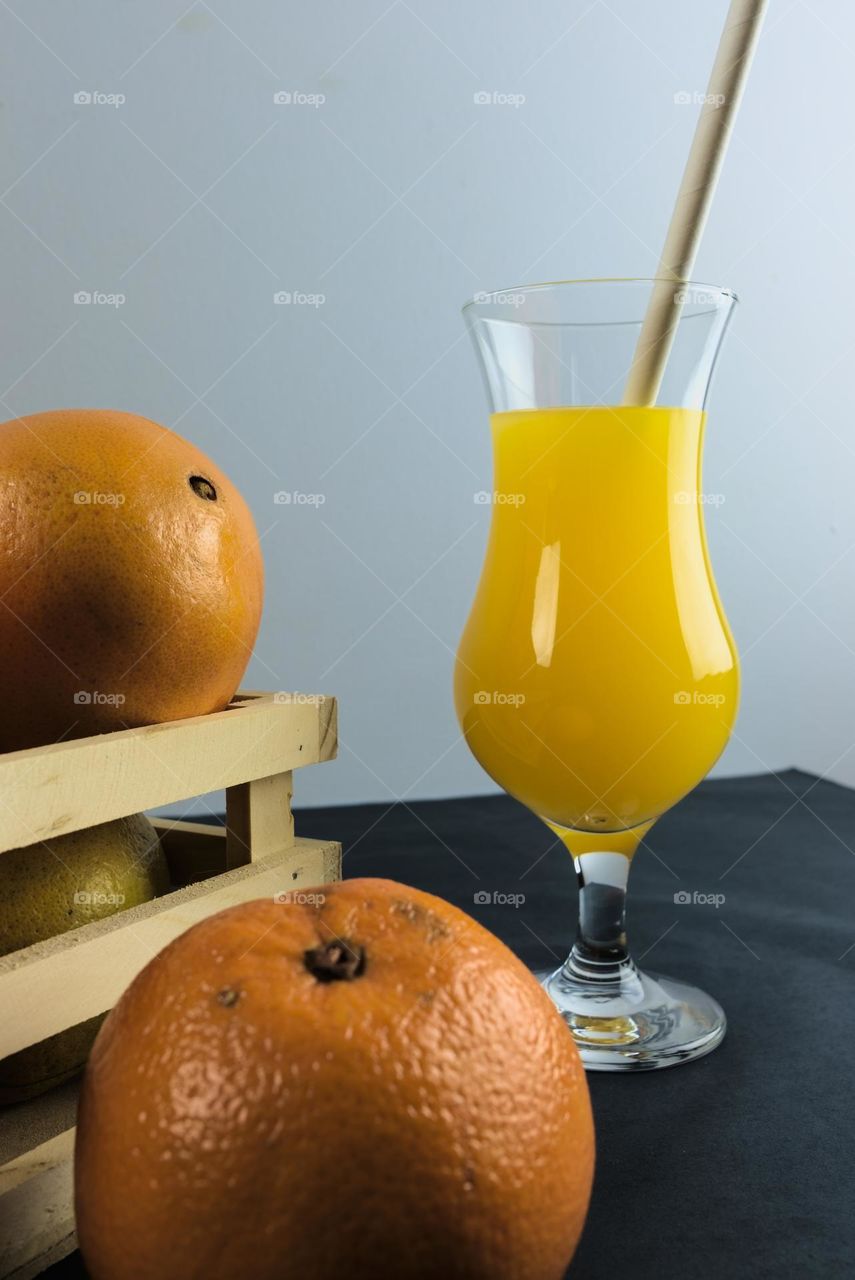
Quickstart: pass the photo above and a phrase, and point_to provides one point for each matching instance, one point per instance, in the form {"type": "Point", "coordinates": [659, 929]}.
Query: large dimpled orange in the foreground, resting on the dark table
{"type": "Point", "coordinates": [365, 1086]}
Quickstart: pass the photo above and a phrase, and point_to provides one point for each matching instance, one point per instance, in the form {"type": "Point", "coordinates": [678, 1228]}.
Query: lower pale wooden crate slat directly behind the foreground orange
{"type": "Point", "coordinates": [72, 977]}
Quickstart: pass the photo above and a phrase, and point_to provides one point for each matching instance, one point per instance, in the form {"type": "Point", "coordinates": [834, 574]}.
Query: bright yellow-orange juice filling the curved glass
{"type": "Point", "coordinates": [597, 680]}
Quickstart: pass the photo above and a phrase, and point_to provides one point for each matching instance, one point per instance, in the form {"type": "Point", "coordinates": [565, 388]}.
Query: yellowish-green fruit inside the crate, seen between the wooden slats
{"type": "Point", "coordinates": [61, 885]}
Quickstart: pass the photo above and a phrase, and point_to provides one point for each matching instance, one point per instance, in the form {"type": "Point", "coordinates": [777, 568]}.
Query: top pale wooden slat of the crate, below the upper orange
{"type": "Point", "coordinates": [53, 790]}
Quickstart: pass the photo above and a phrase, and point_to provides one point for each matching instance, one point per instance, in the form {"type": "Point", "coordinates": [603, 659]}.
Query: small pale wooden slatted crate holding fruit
{"type": "Point", "coordinates": [250, 751]}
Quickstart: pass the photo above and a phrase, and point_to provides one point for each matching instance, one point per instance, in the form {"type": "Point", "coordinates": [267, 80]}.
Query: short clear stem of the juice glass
{"type": "Point", "coordinates": [601, 958]}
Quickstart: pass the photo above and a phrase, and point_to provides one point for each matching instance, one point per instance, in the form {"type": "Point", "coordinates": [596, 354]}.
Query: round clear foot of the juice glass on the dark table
{"type": "Point", "coordinates": [644, 1023]}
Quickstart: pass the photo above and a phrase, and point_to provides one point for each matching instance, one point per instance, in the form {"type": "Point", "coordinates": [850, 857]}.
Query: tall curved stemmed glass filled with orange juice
{"type": "Point", "coordinates": [597, 679]}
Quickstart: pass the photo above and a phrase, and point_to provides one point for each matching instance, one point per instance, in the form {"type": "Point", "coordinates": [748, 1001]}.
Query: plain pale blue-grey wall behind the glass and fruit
{"type": "Point", "coordinates": [396, 198]}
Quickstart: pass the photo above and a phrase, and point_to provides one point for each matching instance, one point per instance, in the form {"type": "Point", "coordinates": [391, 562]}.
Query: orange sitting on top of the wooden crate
{"type": "Point", "coordinates": [131, 578]}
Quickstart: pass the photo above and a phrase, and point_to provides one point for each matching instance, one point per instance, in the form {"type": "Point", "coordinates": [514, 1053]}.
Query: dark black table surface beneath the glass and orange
{"type": "Point", "coordinates": [742, 1164]}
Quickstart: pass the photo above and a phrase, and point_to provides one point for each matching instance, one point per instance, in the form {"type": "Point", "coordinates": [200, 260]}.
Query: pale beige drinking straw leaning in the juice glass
{"type": "Point", "coordinates": [712, 135]}
